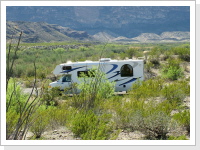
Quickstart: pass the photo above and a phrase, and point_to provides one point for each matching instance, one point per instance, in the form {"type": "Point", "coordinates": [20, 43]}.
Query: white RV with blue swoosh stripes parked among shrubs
{"type": "Point", "coordinates": [123, 72]}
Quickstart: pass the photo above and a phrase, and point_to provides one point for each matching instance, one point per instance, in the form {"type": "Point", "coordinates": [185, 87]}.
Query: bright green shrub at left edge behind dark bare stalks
{"type": "Point", "coordinates": [19, 111]}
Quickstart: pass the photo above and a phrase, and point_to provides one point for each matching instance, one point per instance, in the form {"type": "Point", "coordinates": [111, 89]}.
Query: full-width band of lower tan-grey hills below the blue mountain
{"type": "Point", "coordinates": [35, 32]}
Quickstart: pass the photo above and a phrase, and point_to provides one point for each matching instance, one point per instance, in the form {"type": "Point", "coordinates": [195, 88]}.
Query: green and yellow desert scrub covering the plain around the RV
{"type": "Point", "coordinates": [158, 107]}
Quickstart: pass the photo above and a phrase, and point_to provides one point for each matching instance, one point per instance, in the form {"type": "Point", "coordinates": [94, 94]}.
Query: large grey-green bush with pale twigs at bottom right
{"type": "Point", "coordinates": [151, 118]}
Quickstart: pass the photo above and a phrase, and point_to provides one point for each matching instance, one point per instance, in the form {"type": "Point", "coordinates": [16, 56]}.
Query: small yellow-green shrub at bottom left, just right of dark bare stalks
{"type": "Point", "coordinates": [40, 122]}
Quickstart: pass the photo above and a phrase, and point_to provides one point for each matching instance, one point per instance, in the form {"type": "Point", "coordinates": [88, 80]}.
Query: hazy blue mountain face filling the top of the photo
{"type": "Point", "coordinates": [126, 21]}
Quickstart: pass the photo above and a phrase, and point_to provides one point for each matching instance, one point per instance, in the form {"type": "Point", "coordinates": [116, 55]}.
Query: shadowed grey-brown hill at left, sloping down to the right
{"type": "Point", "coordinates": [34, 32]}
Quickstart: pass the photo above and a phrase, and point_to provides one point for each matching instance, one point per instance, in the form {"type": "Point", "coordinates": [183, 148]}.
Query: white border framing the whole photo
{"type": "Point", "coordinates": [192, 140]}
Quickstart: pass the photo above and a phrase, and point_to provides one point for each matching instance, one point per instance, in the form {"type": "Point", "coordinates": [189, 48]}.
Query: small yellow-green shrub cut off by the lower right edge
{"type": "Point", "coordinates": [183, 119]}
